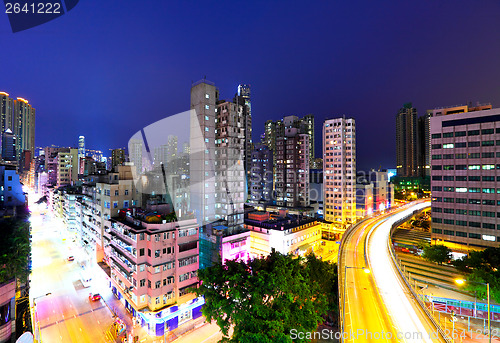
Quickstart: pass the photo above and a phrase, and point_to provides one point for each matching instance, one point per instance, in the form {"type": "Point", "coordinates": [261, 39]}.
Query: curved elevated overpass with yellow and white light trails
{"type": "Point", "coordinates": [379, 306]}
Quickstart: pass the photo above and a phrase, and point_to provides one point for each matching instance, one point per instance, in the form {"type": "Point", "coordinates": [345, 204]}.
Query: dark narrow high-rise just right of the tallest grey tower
{"type": "Point", "coordinates": [261, 177]}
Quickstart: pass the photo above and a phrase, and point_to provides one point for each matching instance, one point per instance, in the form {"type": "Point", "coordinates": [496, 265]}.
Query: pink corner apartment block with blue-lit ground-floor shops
{"type": "Point", "coordinates": [154, 267]}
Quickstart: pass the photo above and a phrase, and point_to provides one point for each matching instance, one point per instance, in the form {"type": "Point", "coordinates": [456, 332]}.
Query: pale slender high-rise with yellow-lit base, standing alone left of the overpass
{"type": "Point", "coordinates": [339, 170]}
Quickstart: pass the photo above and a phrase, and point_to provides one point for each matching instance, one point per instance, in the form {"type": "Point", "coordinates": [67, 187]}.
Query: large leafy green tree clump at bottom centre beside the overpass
{"type": "Point", "coordinates": [264, 299]}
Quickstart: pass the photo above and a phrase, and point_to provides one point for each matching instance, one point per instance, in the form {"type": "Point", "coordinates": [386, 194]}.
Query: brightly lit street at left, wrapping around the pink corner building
{"type": "Point", "coordinates": [63, 312]}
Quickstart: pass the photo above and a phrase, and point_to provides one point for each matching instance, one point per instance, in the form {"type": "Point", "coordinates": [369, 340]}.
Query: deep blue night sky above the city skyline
{"type": "Point", "coordinates": [108, 68]}
